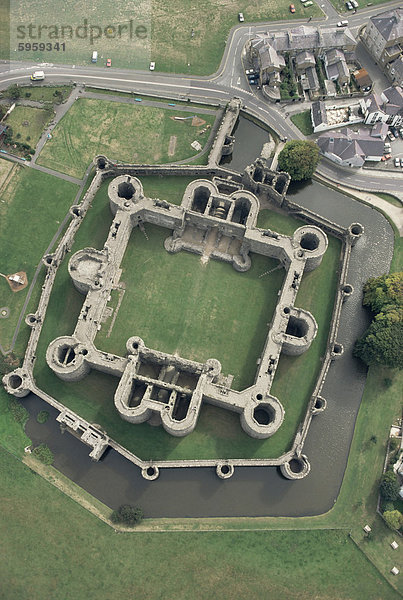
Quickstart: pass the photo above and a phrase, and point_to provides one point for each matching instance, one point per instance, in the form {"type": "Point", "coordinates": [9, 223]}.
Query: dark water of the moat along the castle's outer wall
{"type": "Point", "coordinates": [251, 491]}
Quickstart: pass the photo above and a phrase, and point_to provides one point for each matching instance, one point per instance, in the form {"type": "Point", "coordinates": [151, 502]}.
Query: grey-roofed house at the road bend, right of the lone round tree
{"type": "Point", "coordinates": [350, 148]}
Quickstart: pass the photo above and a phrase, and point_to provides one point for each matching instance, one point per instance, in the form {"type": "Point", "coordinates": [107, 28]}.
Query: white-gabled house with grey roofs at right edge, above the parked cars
{"type": "Point", "coordinates": [386, 107]}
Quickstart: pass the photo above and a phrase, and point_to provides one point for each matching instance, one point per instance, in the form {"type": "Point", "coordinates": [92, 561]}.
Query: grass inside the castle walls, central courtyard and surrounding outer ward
{"type": "Point", "coordinates": [218, 432]}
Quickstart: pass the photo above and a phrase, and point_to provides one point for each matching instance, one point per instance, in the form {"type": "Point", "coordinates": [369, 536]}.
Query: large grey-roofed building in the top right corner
{"type": "Point", "coordinates": [383, 36]}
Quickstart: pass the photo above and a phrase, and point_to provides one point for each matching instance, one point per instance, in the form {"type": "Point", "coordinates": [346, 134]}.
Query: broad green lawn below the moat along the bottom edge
{"type": "Point", "coordinates": [85, 558]}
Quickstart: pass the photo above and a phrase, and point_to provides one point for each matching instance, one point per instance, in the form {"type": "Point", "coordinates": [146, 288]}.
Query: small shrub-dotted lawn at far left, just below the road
{"type": "Point", "coordinates": [28, 123]}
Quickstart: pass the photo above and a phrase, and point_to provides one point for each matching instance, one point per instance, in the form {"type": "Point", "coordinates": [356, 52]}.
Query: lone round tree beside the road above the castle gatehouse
{"type": "Point", "coordinates": [299, 158]}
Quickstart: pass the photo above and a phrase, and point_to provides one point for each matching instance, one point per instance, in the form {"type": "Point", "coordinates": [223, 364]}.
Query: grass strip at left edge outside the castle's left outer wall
{"type": "Point", "coordinates": [31, 209]}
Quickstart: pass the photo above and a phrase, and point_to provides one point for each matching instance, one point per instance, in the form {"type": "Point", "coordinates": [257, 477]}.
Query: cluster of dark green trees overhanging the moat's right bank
{"type": "Point", "coordinates": [382, 343]}
